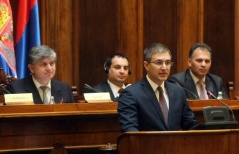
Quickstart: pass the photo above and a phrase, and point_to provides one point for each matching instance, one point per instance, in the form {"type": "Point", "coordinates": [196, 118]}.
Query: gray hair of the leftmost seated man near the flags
{"type": "Point", "coordinates": [40, 52]}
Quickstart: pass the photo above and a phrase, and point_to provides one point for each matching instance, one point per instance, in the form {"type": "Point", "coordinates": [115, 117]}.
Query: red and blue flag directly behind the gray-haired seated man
{"type": "Point", "coordinates": [27, 34]}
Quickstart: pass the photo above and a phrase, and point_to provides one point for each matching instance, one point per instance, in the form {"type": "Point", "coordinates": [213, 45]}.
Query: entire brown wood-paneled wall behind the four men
{"type": "Point", "coordinates": [85, 32]}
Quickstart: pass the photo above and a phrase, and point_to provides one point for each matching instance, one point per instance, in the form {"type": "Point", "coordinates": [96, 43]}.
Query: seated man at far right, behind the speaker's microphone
{"type": "Point", "coordinates": [197, 80]}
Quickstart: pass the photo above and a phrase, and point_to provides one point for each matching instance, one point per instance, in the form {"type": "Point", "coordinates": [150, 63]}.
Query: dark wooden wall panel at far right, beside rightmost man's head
{"type": "Point", "coordinates": [219, 33]}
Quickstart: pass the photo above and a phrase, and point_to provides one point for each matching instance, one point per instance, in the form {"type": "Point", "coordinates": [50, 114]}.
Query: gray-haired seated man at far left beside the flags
{"type": "Point", "coordinates": [42, 64]}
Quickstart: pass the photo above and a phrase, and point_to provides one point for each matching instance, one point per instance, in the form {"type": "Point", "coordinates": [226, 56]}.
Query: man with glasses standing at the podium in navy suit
{"type": "Point", "coordinates": [153, 104]}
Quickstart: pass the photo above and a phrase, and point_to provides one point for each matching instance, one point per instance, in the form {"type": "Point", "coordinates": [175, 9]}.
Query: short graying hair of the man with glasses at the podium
{"type": "Point", "coordinates": [155, 48]}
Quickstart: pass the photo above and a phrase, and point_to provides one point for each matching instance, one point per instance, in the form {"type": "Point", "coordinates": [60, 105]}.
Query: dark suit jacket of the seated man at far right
{"type": "Point", "coordinates": [214, 84]}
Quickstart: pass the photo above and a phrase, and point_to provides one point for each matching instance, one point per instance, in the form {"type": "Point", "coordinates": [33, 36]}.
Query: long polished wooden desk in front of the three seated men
{"type": "Point", "coordinates": [79, 125]}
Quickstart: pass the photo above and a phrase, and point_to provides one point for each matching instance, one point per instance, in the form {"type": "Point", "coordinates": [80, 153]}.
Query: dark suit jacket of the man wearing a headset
{"type": "Point", "coordinates": [105, 87]}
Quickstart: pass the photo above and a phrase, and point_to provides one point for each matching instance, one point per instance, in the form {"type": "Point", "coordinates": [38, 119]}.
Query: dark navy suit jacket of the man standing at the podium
{"type": "Point", "coordinates": [139, 109]}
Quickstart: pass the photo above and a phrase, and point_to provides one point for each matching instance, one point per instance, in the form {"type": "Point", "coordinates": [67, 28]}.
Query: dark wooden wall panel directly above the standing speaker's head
{"type": "Point", "coordinates": [160, 24]}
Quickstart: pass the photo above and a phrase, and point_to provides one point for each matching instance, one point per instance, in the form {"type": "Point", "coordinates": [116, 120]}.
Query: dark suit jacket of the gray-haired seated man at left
{"type": "Point", "coordinates": [59, 90]}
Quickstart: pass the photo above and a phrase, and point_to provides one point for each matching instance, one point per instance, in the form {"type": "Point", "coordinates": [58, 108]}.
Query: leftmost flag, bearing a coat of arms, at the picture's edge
{"type": "Point", "coordinates": [7, 54]}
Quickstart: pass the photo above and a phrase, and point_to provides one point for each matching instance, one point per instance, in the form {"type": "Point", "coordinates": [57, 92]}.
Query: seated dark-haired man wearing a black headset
{"type": "Point", "coordinates": [116, 67]}
